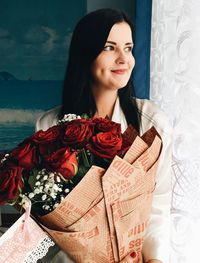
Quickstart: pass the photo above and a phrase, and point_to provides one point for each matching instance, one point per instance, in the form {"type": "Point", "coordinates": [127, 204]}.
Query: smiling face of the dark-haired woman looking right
{"type": "Point", "coordinates": [113, 66]}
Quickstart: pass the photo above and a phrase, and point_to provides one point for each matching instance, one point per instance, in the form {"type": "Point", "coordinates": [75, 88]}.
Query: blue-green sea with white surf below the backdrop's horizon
{"type": "Point", "coordinates": [21, 103]}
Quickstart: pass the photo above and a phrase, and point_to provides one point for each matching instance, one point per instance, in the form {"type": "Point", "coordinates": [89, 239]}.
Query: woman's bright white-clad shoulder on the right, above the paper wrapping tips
{"type": "Point", "coordinates": [152, 115]}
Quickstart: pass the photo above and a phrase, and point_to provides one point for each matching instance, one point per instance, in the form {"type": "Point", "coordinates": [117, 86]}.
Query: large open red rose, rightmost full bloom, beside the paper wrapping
{"type": "Point", "coordinates": [106, 144]}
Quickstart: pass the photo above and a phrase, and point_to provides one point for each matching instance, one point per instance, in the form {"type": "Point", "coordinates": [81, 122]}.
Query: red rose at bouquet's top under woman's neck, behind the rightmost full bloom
{"type": "Point", "coordinates": [106, 125]}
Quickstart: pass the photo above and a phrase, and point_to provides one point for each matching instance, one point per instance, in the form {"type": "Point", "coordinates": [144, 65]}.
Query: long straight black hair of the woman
{"type": "Point", "coordinates": [88, 40]}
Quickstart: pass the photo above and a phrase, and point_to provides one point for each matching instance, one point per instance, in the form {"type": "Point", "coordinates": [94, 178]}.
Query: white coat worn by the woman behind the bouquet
{"type": "Point", "coordinates": [157, 238]}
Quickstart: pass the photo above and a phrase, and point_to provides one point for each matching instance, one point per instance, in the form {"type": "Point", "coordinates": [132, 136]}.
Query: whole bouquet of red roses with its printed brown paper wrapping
{"type": "Point", "coordinates": [90, 185]}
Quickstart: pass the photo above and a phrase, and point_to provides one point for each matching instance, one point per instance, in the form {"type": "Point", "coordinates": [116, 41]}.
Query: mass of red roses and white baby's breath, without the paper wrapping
{"type": "Point", "coordinates": [46, 166]}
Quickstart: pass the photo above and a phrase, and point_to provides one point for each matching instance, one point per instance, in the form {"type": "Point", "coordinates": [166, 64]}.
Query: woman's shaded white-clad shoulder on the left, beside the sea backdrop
{"type": "Point", "coordinates": [48, 119]}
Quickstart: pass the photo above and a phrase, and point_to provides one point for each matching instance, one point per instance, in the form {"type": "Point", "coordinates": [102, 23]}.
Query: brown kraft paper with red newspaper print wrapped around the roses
{"type": "Point", "coordinates": [105, 216]}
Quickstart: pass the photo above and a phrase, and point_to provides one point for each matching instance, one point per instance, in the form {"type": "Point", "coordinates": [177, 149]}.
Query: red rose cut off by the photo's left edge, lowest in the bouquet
{"type": "Point", "coordinates": [10, 183]}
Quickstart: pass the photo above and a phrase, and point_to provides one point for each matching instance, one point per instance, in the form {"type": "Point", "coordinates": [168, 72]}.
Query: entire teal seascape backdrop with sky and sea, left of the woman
{"type": "Point", "coordinates": [34, 43]}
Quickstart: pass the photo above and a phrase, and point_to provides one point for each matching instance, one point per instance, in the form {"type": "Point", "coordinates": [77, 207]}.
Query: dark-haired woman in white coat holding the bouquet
{"type": "Point", "coordinates": [98, 82]}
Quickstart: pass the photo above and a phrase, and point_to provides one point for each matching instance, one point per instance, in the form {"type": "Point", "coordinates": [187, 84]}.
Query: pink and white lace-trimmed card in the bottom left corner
{"type": "Point", "coordinates": [24, 242]}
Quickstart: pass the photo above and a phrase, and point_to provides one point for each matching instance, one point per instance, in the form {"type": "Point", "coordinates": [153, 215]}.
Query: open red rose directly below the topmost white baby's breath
{"type": "Point", "coordinates": [77, 133]}
